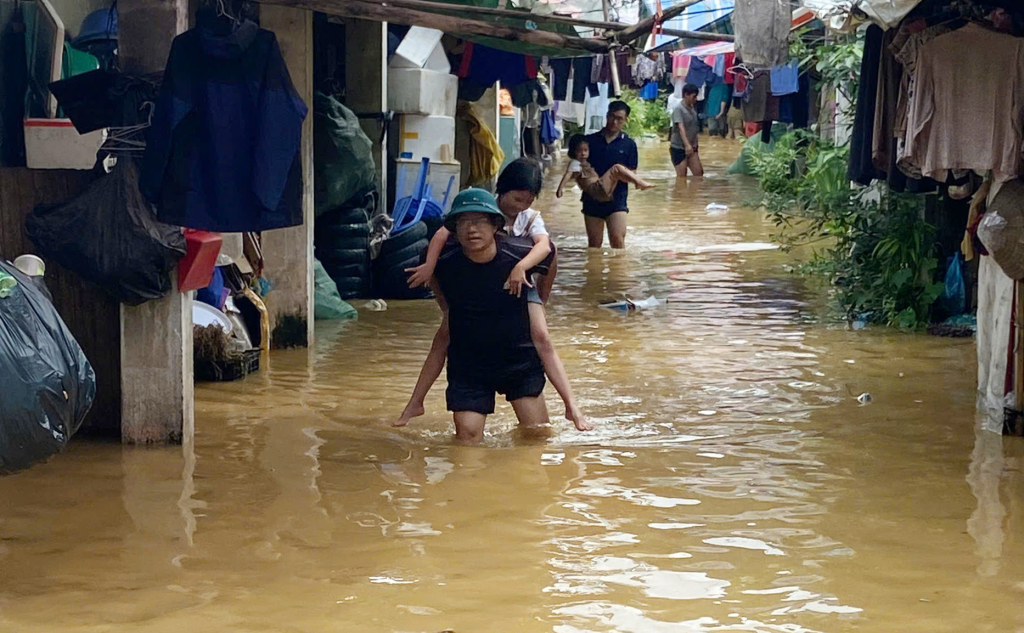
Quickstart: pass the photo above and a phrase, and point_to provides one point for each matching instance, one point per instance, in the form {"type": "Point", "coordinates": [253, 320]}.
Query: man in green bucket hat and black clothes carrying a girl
{"type": "Point", "coordinates": [492, 348]}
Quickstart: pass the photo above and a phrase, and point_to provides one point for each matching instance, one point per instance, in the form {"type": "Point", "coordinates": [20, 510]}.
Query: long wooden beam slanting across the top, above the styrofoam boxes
{"type": "Point", "coordinates": [449, 24]}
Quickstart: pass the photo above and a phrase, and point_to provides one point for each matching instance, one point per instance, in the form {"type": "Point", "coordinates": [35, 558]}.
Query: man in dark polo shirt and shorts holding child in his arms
{"type": "Point", "coordinates": [609, 148]}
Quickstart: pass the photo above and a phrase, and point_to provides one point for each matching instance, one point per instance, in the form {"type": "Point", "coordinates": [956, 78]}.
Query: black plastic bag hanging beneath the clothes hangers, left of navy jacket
{"type": "Point", "coordinates": [110, 236]}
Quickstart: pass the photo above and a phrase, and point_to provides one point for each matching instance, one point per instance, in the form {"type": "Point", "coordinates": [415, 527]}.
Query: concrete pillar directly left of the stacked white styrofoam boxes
{"type": "Point", "coordinates": [366, 83]}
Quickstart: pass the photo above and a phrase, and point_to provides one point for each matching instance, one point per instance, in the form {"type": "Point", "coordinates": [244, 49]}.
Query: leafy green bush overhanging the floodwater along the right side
{"type": "Point", "coordinates": [872, 245]}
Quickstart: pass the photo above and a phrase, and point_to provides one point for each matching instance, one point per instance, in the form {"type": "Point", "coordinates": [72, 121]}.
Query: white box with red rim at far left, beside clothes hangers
{"type": "Point", "coordinates": [55, 144]}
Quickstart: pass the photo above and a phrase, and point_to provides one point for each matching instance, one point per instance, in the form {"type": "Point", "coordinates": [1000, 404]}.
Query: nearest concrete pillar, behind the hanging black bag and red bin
{"type": "Point", "coordinates": [156, 337]}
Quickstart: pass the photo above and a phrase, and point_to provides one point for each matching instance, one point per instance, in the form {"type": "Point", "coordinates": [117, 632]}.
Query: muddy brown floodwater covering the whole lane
{"type": "Point", "coordinates": [734, 483]}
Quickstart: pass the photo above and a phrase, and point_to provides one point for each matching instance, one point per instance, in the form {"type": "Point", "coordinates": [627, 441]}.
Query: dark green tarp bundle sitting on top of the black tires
{"type": "Point", "coordinates": [344, 160]}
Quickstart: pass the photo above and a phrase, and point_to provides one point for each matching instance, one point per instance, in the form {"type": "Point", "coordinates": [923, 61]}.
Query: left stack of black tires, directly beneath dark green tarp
{"type": "Point", "coordinates": [343, 245]}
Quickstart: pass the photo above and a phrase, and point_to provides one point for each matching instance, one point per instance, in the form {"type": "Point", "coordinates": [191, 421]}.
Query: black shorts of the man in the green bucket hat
{"type": "Point", "coordinates": [475, 391]}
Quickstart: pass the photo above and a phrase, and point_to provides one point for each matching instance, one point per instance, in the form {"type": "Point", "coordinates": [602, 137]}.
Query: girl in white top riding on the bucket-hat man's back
{"type": "Point", "coordinates": [519, 186]}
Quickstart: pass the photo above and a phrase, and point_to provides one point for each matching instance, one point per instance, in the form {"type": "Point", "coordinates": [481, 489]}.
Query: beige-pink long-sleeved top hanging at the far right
{"type": "Point", "coordinates": [964, 116]}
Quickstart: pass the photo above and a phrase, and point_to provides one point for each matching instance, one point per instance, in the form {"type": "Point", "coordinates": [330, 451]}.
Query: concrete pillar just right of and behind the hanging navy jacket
{"type": "Point", "coordinates": [288, 254]}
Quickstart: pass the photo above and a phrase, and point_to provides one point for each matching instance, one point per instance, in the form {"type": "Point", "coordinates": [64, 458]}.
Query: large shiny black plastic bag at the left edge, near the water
{"type": "Point", "coordinates": [49, 385]}
